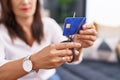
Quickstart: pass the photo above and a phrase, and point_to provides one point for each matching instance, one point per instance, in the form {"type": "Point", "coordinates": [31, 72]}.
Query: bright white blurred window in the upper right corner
{"type": "Point", "coordinates": [103, 11]}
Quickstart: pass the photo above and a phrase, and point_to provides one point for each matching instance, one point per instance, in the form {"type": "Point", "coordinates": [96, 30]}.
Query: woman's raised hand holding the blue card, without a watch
{"type": "Point", "coordinates": [86, 36]}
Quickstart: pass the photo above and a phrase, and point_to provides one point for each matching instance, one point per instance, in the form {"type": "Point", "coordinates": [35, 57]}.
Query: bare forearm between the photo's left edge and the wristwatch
{"type": "Point", "coordinates": [12, 70]}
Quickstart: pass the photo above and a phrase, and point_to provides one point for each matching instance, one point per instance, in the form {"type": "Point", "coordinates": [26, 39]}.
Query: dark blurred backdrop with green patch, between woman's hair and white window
{"type": "Point", "coordinates": [60, 9]}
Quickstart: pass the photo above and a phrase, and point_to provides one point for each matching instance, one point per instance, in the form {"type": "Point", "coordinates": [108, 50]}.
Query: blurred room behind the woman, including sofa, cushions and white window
{"type": "Point", "coordinates": [101, 61]}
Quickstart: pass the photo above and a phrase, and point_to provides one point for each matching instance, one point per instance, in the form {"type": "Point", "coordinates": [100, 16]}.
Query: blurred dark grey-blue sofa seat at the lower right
{"type": "Point", "coordinates": [90, 70]}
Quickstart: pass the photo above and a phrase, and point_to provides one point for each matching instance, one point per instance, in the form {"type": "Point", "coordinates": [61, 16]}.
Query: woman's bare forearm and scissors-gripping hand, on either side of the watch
{"type": "Point", "coordinates": [47, 58]}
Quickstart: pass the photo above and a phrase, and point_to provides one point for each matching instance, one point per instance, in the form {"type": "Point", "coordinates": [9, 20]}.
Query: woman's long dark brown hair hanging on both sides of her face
{"type": "Point", "coordinates": [8, 19]}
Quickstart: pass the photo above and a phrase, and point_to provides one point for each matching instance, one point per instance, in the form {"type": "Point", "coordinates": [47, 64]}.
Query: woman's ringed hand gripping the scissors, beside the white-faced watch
{"type": "Point", "coordinates": [53, 55]}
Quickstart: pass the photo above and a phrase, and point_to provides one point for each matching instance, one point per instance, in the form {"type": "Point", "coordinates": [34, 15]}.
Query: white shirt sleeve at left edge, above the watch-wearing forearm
{"type": "Point", "coordinates": [2, 54]}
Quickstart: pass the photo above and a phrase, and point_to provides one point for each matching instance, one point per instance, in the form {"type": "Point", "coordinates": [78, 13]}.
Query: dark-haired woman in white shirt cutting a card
{"type": "Point", "coordinates": [30, 45]}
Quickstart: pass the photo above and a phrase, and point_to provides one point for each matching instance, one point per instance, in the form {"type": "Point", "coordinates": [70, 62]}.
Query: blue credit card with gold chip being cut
{"type": "Point", "coordinates": [73, 25]}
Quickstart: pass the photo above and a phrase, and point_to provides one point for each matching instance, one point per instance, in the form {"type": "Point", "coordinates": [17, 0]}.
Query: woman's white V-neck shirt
{"type": "Point", "coordinates": [11, 51]}
